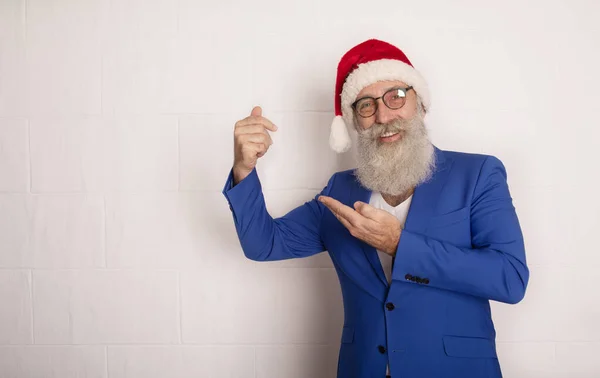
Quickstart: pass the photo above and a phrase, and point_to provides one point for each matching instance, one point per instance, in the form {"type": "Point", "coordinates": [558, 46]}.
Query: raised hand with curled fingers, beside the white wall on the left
{"type": "Point", "coordinates": [251, 141]}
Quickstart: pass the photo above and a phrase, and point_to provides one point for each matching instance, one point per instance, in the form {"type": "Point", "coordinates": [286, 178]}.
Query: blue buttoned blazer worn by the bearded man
{"type": "Point", "coordinates": [461, 247]}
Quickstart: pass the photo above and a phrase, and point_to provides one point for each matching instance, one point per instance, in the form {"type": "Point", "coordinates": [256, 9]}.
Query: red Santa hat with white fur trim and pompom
{"type": "Point", "coordinates": [364, 64]}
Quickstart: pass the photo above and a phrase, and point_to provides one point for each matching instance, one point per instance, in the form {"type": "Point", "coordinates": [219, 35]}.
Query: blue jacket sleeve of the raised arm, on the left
{"type": "Point", "coordinates": [262, 238]}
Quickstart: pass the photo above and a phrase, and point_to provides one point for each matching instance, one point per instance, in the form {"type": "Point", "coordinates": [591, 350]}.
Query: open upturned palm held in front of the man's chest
{"type": "Point", "coordinates": [376, 227]}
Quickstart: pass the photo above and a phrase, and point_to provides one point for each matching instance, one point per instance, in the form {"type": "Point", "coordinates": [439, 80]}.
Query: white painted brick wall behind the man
{"type": "Point", "coordinates": [118, 255]}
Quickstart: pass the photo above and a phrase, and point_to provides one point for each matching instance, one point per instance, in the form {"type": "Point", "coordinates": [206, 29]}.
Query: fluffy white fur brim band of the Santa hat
{"type": "Point", "coordinates": [380, 70]}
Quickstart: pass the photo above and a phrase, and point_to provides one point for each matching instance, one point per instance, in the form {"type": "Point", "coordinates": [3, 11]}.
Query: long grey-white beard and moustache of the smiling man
{"type": "Point", "coordinates": [399, 166]}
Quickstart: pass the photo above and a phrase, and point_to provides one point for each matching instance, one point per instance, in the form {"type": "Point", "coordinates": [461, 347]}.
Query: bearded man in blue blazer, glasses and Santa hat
{"type": "Point", "coordinates": [421, 239]}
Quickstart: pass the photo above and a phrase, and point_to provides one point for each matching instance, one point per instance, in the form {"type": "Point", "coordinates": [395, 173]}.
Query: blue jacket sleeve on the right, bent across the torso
{"type": "Point", "coordinates": [494, 268]}
